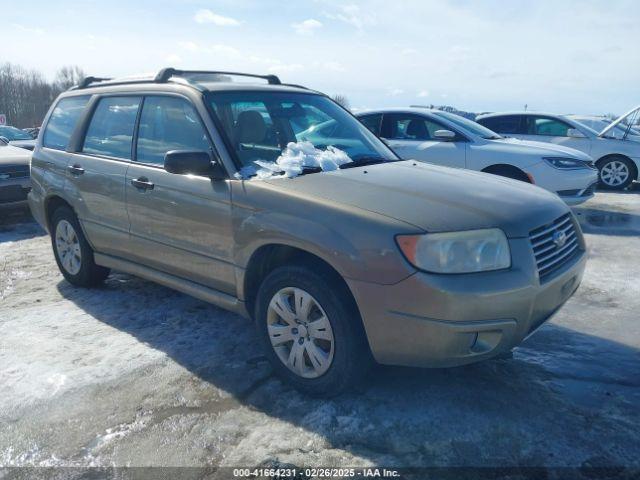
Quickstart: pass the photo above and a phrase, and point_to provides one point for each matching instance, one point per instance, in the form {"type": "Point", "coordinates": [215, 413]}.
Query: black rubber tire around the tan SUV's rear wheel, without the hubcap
{"type": "Point", "coordinates": [89, 274]}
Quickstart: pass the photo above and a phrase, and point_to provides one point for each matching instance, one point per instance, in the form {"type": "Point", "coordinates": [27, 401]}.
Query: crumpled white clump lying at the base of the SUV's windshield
{"type": "Point", "coordinates": [293, 160]}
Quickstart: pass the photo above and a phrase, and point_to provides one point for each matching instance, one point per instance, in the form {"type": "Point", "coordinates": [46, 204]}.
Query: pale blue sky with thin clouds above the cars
{"type": "Point", "coordinates": [562, 56]}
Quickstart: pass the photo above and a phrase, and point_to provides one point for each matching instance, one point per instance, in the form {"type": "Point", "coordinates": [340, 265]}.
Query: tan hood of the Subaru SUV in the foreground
{"type": "Point", "coordinates": [433, 198]}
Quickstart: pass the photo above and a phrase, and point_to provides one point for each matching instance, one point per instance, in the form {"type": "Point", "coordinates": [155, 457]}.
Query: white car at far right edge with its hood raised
{"type": "Point", "coordinates": [617, 159]}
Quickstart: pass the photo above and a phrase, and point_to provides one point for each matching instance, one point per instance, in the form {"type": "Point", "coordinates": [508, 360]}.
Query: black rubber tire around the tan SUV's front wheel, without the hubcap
{"type": "Point", "coordinates": [351, 355]}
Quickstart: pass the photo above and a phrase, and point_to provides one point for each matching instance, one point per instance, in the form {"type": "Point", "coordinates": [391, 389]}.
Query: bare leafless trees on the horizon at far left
{"type": "Point", "coordinates": [26, 95]}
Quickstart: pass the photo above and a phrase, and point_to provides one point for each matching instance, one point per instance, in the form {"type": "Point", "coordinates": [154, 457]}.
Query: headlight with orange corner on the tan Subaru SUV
{"type": "Point", "coordinates": [457, 252]}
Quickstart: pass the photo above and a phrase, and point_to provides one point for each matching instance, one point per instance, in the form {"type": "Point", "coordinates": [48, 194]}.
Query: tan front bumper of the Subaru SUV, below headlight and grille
{"type": "Point", "coordinates": [432, 320]}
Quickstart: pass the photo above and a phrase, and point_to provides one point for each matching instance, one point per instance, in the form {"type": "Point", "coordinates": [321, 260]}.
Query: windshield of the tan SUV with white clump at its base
{"type": "Point", "coordinates": [263, 126]}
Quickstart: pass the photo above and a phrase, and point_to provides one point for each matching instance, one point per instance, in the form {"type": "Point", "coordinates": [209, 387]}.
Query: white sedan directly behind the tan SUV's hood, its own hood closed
{"type": "Point", "coordinates": [446, 139]}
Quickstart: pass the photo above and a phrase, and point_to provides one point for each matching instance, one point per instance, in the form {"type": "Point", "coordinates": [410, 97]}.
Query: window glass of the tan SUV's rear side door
{"type": "Point", "coordinates": [110, 132]}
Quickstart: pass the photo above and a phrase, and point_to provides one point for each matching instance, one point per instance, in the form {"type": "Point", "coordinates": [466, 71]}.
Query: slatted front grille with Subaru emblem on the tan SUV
{"type": "Point", "coordinates": [549, 250]}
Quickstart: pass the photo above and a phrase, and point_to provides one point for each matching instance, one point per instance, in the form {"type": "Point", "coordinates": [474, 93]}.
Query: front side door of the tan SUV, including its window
{"type": "Point", "coordinates": [180, 224]}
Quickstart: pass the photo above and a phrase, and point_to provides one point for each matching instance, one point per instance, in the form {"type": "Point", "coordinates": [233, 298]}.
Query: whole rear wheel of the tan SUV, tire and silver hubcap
{"type": "Point", "coordinates": [73, 254]}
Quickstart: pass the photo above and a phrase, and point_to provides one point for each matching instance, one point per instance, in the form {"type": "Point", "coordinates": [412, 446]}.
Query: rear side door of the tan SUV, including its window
{"type": "Point", "coordinates": [96, 172]}
